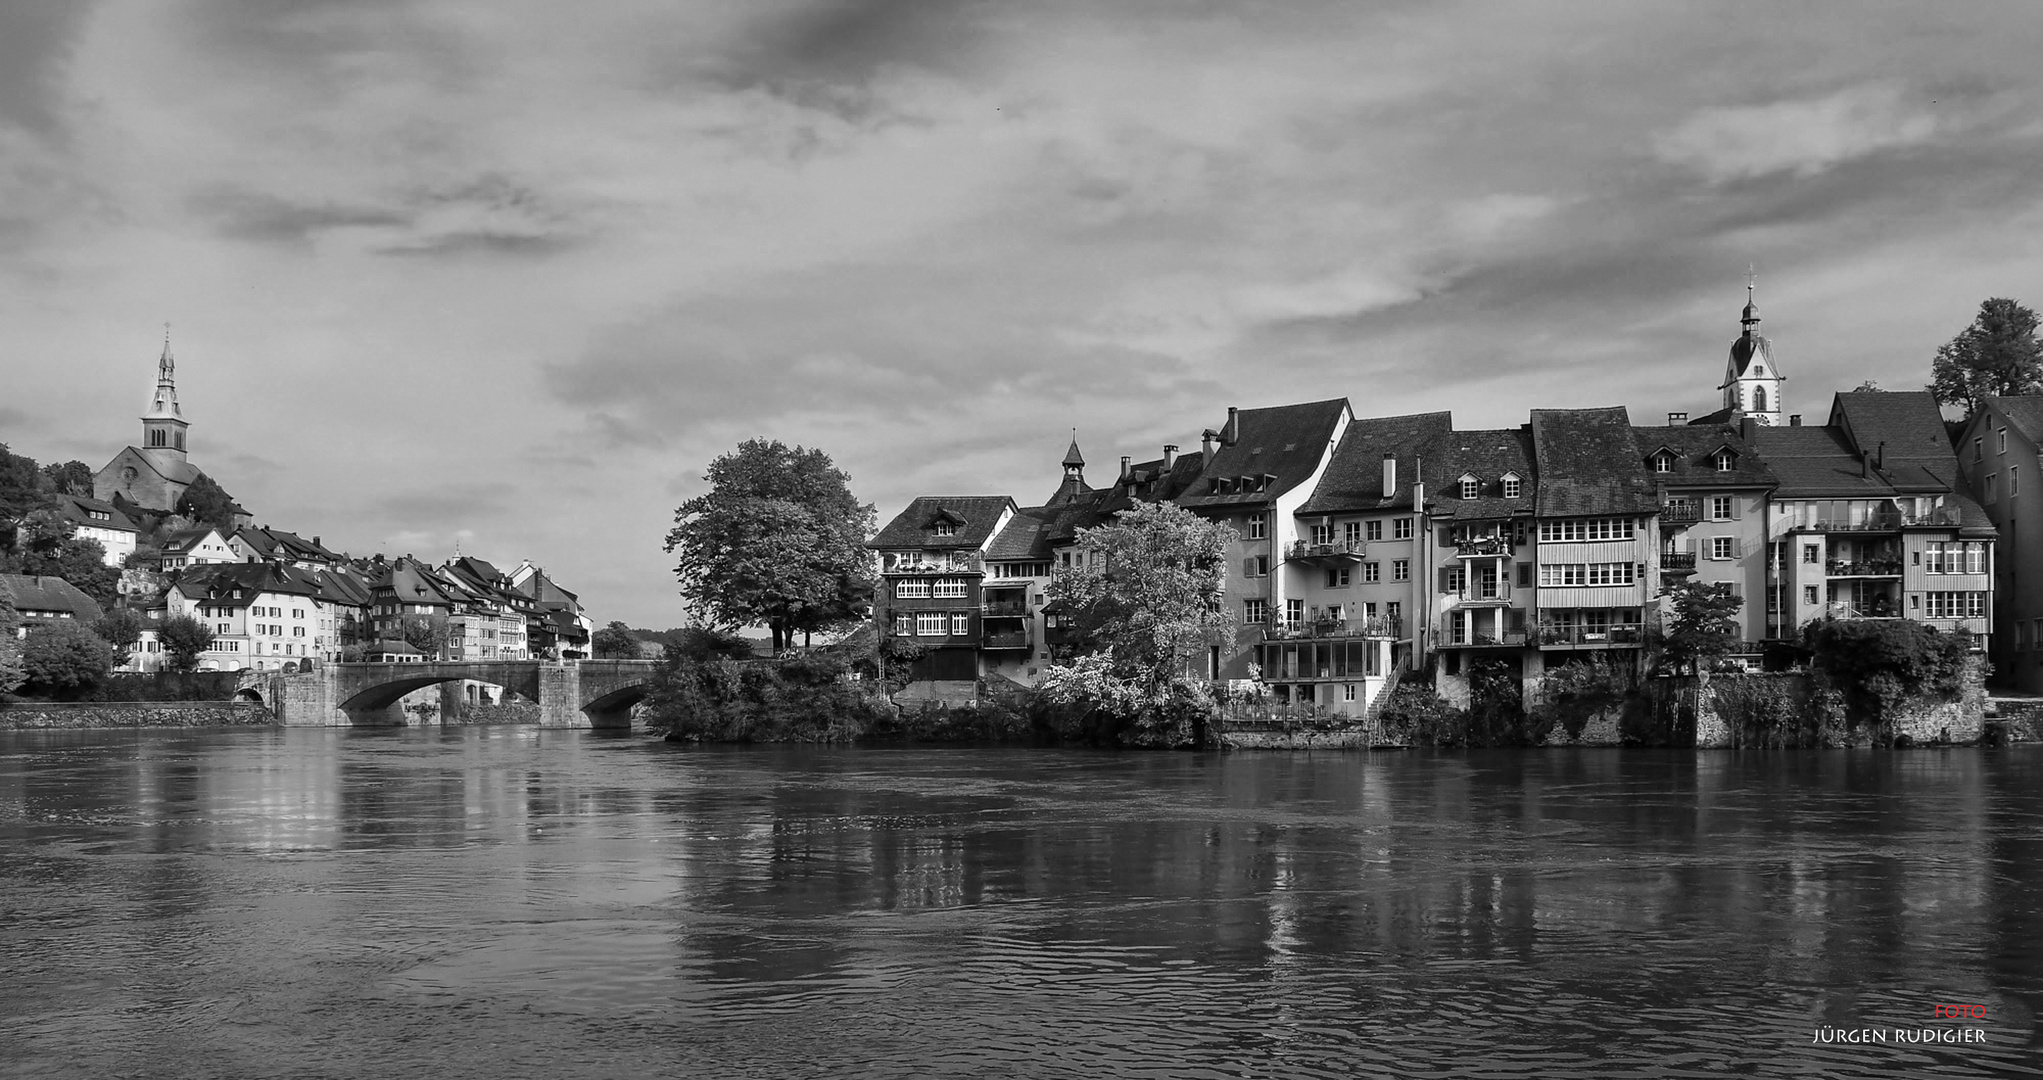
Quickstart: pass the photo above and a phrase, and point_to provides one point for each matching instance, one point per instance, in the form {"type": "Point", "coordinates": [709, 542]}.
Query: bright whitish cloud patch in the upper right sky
{"type": "Point", "coordinates": [1805, 136]}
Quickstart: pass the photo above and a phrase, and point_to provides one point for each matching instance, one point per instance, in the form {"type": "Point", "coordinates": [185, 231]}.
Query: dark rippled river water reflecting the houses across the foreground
{"type": "Point", "coordinates": [500, 901]}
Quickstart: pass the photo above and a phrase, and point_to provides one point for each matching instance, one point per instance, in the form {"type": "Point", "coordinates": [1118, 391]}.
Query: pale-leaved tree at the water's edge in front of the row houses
{"type": "Point", "coordinates": [1149, 595]}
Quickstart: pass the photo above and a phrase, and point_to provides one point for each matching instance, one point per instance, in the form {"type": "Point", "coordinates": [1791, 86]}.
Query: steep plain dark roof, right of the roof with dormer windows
{"type": "Point", "coordinates": [1588, 464]}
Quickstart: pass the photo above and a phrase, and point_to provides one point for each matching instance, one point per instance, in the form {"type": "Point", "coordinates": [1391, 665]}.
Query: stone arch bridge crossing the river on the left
{"type": "Point", "coordinates": [571, 693]}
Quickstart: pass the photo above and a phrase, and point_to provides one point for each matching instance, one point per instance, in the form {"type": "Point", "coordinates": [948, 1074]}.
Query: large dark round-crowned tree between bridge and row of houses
{"type": "Point", "coordinates": [777, 542]}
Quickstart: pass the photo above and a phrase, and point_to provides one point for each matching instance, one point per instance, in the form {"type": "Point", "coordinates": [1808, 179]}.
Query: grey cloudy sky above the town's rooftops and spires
{"type": "Point", "coordinates": [510, 275]}
